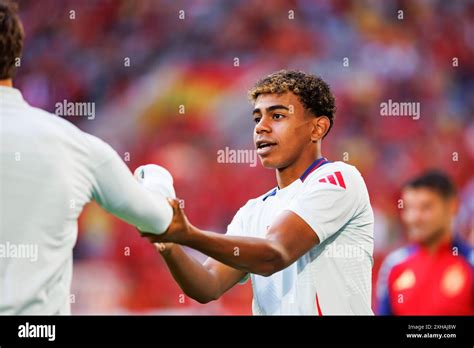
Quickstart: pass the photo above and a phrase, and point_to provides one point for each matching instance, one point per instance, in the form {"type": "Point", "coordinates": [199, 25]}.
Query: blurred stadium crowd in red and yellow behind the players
{"type": "Point", "coordinates": [172, 91]}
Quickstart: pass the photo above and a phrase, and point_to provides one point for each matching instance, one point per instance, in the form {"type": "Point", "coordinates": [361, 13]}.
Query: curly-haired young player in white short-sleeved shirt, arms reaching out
{"type": "Point", "coordinates": [307, 244]}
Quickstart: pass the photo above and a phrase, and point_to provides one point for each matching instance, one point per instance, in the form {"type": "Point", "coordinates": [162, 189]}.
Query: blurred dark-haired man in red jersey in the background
{"type": "Point", "coordinates": [434, 275]}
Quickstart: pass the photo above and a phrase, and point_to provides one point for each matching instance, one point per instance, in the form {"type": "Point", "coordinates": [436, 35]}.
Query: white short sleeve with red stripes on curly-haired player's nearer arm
{"type": "Point", "coordinates": [326, 206]}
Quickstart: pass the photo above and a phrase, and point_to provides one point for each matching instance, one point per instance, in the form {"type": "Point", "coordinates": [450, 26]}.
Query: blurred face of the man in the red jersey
{"type": "Point", "coordinates": [426, 214]}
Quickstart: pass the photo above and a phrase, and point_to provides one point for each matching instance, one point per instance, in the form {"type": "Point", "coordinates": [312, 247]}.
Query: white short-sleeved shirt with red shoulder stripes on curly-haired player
{"type": "Point", "coordinates": [335, 276]}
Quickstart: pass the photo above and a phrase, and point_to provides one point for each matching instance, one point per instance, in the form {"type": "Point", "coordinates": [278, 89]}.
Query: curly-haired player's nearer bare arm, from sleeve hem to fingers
{"type": "Point", "coordinates": [287, 239]}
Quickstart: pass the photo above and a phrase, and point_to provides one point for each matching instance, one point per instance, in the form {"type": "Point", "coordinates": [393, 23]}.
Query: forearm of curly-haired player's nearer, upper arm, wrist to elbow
{"type": "Point", "coordinates": [250, 255]}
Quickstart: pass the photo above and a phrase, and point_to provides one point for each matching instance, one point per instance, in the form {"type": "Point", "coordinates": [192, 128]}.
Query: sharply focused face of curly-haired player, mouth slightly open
{"type": "Point", "coordinates": [282, 129]}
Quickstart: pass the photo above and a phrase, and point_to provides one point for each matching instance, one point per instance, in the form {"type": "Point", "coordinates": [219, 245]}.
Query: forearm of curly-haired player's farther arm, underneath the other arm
{"type": "Point", "coordinates": [193, 277]}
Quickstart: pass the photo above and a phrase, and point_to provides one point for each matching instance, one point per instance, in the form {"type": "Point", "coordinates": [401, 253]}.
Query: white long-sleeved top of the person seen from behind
{"type": "Point", "coordinates": [49, 170]}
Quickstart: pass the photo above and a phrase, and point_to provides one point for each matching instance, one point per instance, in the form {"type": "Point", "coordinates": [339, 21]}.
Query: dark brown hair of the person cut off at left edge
{"type": "Point", "coordinates": [11, 38]}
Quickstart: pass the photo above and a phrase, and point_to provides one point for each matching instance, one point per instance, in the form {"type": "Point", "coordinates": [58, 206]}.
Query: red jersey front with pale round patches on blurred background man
{"type": "Point", "coordinates": [432, 283]}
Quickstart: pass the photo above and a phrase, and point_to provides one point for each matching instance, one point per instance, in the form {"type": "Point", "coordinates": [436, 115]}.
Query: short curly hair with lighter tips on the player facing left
{"type": "Point", "coordinates": [312, 91]}
